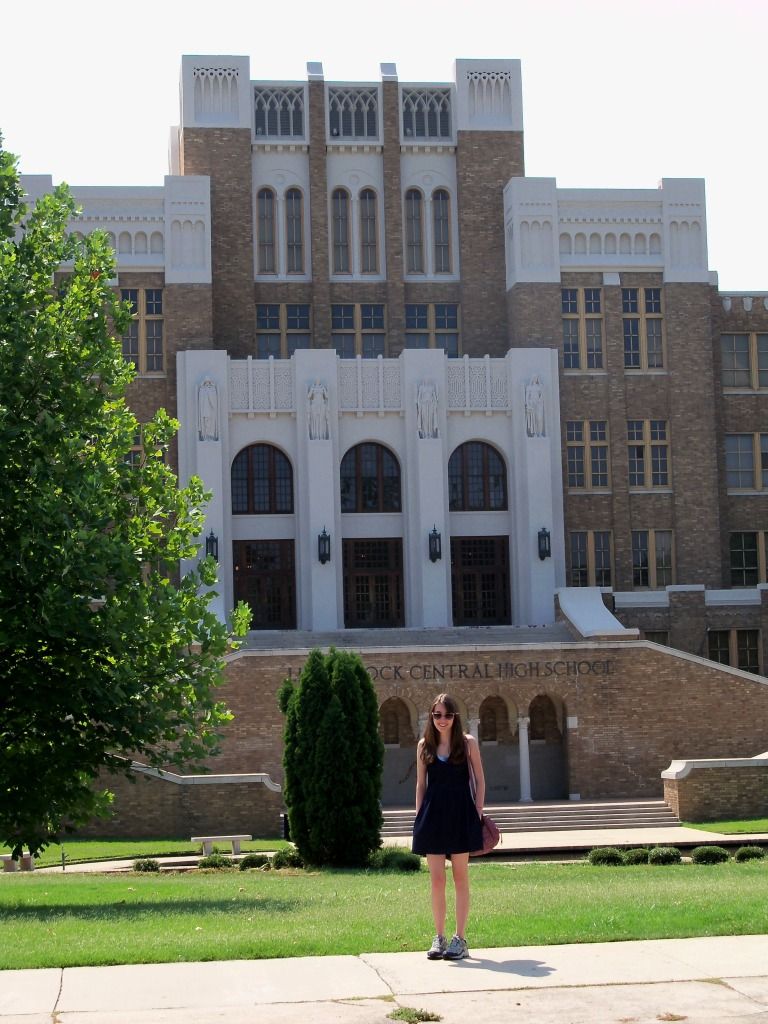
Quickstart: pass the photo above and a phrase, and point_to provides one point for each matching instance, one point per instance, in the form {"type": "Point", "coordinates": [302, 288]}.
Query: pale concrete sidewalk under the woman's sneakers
{"type": "Point", "coordinates": [717, 980]}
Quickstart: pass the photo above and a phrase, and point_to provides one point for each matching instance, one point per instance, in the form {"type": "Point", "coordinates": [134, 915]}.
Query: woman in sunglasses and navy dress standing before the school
{"type": "Point", "coordinates": [448, 817]}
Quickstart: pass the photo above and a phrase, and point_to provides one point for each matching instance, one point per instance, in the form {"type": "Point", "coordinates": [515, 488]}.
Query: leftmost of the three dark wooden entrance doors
{"type": "Point", "coordinates": [265, 578]}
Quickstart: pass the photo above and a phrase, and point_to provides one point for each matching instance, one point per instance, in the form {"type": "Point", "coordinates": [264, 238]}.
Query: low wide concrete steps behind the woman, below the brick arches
{"type": "Point", "coordinates": [557, 817]}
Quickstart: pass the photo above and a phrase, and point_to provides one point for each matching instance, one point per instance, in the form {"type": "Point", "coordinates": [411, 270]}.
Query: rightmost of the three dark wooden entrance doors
{"type": "Point", "coordinates": [480, 581]}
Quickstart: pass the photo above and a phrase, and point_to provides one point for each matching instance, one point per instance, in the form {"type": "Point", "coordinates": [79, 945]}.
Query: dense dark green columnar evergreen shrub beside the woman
{"type": "Point", "coordinates": [333, 758]}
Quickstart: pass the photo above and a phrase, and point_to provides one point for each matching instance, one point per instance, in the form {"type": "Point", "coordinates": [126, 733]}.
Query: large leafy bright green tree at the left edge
{"type": "Point", "coordinates": [105, 654]}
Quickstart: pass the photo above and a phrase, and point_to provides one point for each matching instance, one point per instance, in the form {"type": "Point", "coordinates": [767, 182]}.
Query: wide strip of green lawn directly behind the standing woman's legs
{"type": "Point", "coordinates": [76, 920]}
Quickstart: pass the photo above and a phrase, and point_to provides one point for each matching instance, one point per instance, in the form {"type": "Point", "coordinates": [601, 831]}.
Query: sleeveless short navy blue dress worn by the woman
{"type": "Point", "coordinates": [448, 821]}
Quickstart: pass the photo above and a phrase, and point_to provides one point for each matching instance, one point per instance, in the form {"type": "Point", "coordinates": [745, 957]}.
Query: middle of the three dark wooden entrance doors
{"type": "Point", "coordinates": [373, 584]}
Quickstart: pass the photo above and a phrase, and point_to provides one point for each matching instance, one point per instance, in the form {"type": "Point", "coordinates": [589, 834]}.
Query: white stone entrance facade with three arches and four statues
{"type": "Point", "coordinates": [266, 402]}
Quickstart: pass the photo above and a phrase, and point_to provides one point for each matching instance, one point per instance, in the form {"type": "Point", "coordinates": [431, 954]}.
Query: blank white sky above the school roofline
{"type": "Point", "coordinates": [616, 95]}
